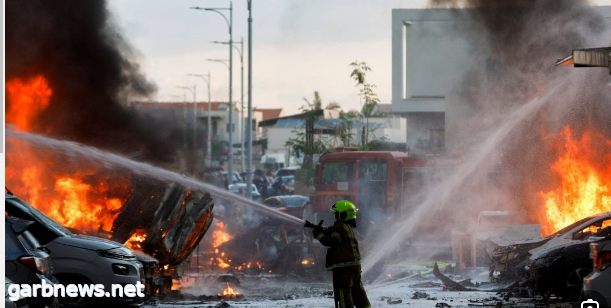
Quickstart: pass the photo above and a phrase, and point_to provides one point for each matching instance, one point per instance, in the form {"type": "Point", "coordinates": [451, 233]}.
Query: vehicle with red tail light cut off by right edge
{"type": "Point", "coordinates": [597, 285]}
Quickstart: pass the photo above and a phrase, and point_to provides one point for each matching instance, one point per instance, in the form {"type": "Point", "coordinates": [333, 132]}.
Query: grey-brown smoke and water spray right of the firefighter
{"type": "Point", "coordinates": [516, 101]}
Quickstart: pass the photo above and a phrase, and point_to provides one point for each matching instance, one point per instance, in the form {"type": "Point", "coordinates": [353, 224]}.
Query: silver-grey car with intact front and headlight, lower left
{"type": "Point", "coordinates": [79, 259]}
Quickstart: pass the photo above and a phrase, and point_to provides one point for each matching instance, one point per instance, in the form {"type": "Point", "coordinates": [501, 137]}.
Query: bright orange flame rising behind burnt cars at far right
{"type": "Point", "coordinates": [585, 189]}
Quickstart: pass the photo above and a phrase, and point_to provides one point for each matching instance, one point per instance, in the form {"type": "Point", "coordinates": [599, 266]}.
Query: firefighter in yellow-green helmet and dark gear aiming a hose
{"type": "Point", "coordinates": [343, 256]}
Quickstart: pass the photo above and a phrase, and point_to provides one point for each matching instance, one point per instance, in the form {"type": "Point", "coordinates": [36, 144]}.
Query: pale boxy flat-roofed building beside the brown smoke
{"type": "Point", "coordinates": [430, 55]}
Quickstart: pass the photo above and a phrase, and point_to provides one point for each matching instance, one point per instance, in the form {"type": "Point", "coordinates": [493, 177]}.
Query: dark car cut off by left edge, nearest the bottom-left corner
{"type": "Point", "coordinates": [26, 260]}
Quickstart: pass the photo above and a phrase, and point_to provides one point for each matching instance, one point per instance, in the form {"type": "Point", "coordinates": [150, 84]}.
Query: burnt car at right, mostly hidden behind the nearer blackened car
{"type": "Point", "coordinates": [509, 262]}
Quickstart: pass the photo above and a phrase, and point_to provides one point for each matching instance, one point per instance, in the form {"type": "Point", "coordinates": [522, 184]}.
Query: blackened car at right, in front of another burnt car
{"type": "Point", "coordinates": [560, 270]}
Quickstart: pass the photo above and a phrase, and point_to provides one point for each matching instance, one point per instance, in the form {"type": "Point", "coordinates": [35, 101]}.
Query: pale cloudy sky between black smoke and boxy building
{"type": "Point", "coordinates": [299, 46]}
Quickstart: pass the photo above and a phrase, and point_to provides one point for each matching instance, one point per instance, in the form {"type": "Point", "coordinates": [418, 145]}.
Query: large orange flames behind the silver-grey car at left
{"type": "Point", "coordinates": [79, 198]}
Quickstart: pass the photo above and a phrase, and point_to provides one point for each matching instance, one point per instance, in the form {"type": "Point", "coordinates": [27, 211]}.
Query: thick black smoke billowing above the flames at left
{"type": "Point", "coordinates": [91, 70]}
